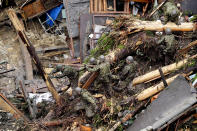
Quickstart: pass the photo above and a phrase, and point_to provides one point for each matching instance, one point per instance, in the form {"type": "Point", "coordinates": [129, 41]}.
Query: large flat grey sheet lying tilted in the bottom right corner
{"type": "Point", "coordinates": [174, 100]}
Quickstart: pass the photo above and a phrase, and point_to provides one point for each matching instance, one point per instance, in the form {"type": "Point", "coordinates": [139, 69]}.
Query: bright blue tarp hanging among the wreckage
{"type": "Point", "coordinates": [54, 14]}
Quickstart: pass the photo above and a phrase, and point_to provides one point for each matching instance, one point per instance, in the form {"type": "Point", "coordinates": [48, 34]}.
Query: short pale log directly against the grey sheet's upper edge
{"type": "Point", "coordinates": [154, 89]}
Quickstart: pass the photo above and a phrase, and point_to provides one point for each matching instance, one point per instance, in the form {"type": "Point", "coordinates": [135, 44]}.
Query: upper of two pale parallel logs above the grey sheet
{"type": "Point", "coordinates": [155, 74]}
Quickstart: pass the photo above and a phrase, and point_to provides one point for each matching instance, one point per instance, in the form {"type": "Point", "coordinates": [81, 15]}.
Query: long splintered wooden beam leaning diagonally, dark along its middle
{"type": "Point", "coordinates": [32, 52]}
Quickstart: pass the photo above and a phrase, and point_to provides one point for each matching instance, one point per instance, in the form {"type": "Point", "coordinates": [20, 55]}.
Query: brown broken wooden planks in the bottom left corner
{"type": "Point", "coordinates": [7, 106]}
